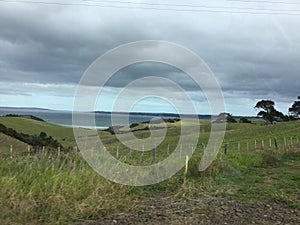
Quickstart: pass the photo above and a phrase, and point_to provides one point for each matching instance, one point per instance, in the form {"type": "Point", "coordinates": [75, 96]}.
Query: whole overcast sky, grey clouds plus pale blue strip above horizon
{"type": "Point", "coordinates": [254, 52]}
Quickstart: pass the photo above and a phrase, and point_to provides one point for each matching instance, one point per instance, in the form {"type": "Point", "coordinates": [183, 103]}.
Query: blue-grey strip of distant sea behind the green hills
{"type": "Point", "coordinates": [64, 118]}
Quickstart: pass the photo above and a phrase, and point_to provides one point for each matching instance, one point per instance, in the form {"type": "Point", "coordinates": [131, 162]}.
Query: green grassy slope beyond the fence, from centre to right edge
{"type": "Point", "coordinates": [243, 137]}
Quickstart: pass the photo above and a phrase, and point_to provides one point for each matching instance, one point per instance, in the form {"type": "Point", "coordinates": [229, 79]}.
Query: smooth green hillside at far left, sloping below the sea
{"type": "Point", "coordinates": [29, 126]}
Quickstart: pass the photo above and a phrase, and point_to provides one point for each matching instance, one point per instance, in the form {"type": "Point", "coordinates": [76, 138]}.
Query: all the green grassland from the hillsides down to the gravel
{"type": "Point", "coordinates": [51, 189]}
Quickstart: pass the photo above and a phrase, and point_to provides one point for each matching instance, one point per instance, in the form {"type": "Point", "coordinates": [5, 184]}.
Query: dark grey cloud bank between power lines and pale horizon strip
{"type": "Point", "coordinates": [252, 56]}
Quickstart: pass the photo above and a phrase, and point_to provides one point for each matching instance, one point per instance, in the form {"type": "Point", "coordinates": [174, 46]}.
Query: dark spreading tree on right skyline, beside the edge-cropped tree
{"type": "Point", "coordinates": [269, 113]}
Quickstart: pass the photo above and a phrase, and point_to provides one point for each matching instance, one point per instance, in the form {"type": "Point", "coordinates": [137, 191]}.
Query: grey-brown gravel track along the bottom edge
{"type": "Point", "coordinates": [165, 210]}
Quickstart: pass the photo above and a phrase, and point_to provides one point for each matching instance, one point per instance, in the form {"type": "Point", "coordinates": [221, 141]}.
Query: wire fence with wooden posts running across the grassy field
{"type": "Point", "coordinates": [160, 152]}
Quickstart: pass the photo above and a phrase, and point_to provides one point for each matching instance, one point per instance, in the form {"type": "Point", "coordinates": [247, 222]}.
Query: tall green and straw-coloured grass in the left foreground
{"type": "Point", "coordinates": [44, 190]}
